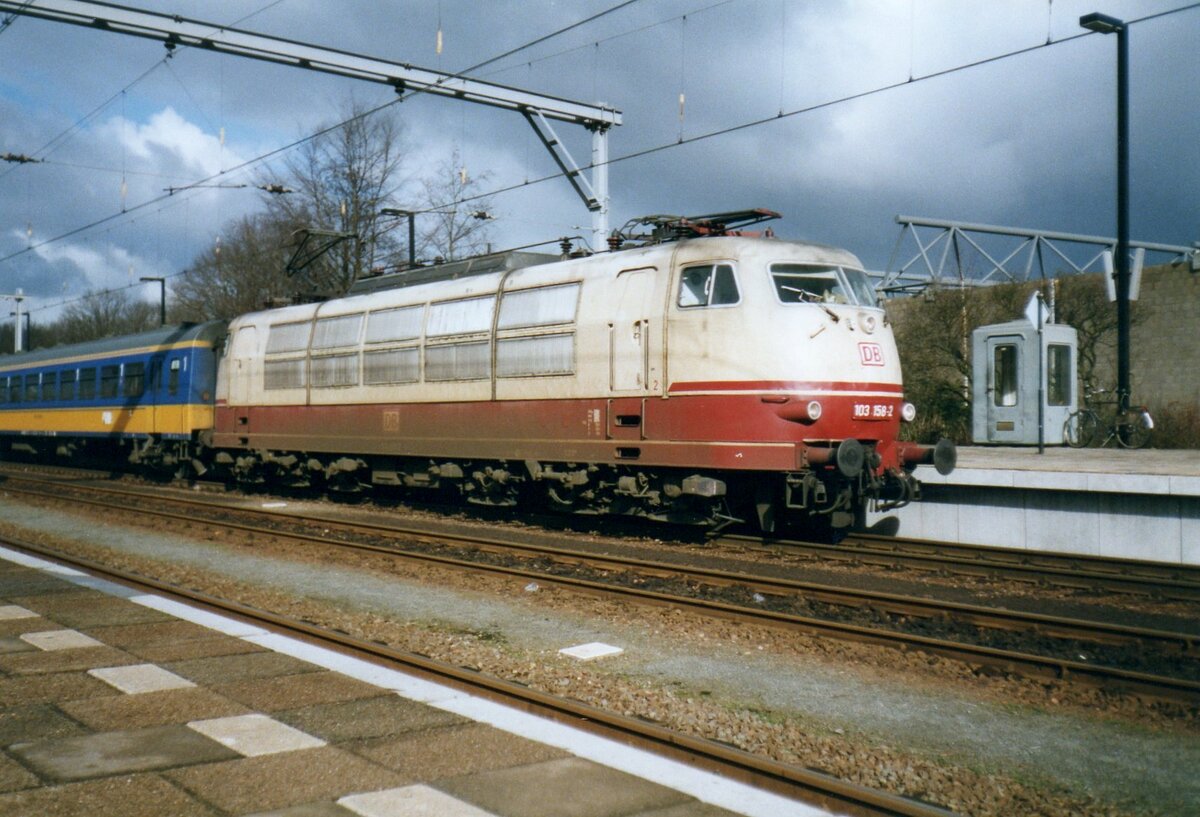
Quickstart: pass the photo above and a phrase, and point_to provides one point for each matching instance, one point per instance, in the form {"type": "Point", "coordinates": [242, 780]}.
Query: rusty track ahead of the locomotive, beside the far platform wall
{"type": "Point", "coordinates": [1073, 572]}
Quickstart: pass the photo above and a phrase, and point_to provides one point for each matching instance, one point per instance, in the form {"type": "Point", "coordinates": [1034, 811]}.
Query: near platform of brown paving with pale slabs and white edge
{"type": "Point", "coordinates": [113, 705]}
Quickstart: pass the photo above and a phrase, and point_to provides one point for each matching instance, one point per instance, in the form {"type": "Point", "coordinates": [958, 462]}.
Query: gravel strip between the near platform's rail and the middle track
{"type": "Point", "coordinates": [907, 723]}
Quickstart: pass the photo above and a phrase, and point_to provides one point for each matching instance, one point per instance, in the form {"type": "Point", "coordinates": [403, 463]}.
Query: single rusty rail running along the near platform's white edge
{"type": "Point", "coordinates": [793, 782]}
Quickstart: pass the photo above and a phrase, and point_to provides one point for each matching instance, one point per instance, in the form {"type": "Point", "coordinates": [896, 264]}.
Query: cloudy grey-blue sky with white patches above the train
{"type": "Point", "coordinates": [1027, 141]}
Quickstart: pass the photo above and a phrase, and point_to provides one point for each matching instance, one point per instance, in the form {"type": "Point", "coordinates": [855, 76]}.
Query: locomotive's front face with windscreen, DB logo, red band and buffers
{"type": "Point", "coordinates": [853, 405]}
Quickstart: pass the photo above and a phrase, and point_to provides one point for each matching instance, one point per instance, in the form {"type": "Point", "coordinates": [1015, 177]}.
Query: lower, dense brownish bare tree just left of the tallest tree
{"type": "Point", "coordinates": [243, 274]}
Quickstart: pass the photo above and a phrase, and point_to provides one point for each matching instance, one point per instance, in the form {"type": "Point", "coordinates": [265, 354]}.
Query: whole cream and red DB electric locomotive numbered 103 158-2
{"type": "Point", "coordinates": [698, 376]}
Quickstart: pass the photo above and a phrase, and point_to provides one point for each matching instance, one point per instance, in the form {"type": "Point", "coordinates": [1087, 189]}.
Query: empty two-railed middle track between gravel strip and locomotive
{"type": "Point", "coordinates": [1155, 664]}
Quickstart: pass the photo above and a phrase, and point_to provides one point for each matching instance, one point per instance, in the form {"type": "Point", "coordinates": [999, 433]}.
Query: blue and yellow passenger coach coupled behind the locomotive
{"type": "Point", "coordinates": [145, 398]}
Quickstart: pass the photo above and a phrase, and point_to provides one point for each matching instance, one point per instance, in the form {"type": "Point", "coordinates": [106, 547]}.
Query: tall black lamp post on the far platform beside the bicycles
{"type": "Point", "coordinates": [1106, 25]}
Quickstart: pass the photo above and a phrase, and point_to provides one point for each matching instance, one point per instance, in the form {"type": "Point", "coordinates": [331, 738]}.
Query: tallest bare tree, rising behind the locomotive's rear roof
{"type": "Point", "coordinates": [340, 182]}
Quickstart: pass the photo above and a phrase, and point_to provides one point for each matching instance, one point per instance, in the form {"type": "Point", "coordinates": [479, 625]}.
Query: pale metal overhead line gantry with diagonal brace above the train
{"type": "Point", "coordinates": [537, 109]}
